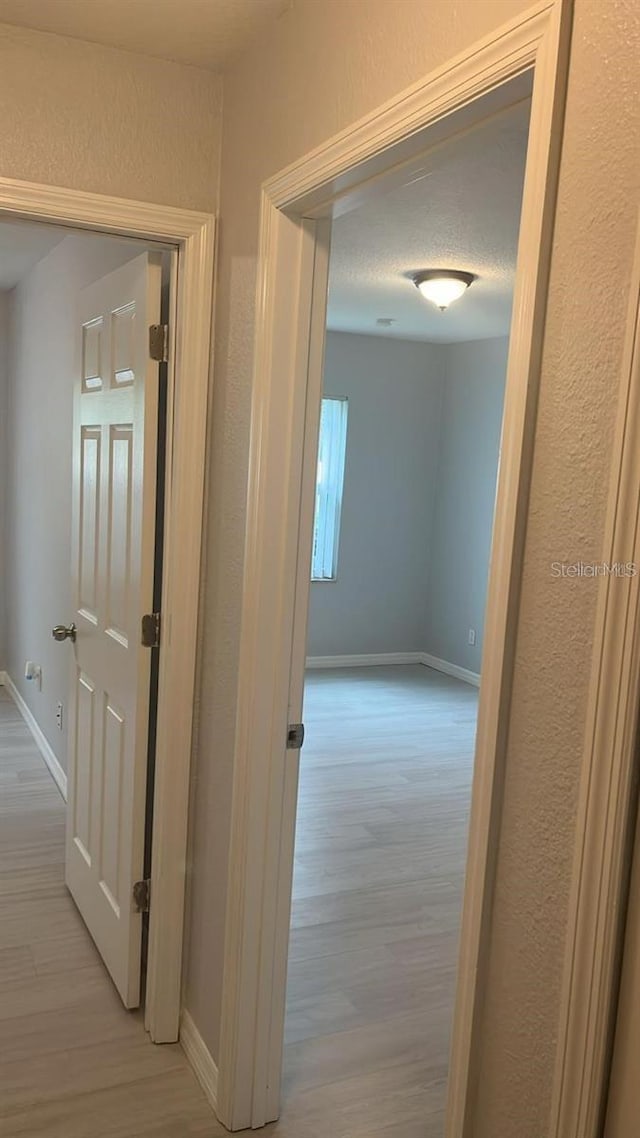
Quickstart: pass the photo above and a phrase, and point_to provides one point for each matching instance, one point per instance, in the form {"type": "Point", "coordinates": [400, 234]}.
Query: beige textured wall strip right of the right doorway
{"type": "Point", "coordinates": [597, 213]}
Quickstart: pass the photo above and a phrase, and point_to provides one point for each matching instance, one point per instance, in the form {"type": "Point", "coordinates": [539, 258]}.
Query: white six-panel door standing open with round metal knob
{"type": "Point", "coordinates": [114, 489]}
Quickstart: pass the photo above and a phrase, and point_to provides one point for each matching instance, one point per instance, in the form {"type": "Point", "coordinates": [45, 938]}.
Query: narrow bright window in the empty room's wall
{"type": "Point", "coordinates": [330, 490]}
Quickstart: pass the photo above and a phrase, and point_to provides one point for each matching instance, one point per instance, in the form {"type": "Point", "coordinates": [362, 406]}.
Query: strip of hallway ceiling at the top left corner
{"type": "Point", "coordinates": [204, 34]}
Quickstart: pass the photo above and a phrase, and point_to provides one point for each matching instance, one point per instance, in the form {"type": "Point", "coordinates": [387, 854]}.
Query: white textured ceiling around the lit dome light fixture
{"type": "Point", "coordinates": [460, 211]}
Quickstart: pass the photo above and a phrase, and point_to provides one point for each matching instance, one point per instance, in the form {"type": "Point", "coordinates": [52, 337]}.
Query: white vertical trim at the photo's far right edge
{"type": "Point", "coordinates": [604, 824]}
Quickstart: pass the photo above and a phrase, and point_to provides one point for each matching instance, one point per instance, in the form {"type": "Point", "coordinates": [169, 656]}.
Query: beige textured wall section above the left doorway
{"type": "Point", "coordinates": [112, 122]}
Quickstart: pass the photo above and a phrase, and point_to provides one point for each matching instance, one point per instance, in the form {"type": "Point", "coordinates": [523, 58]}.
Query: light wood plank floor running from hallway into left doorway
{"type": "Point", "coordinates": [73, 1063]}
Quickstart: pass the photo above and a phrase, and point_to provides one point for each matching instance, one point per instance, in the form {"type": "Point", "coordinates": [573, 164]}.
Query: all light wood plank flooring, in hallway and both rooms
{"type": "Point", "coordinates": [385, 787]}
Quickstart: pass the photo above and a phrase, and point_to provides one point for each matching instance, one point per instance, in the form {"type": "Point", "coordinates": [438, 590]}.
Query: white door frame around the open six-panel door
{"type": "Point", "coordinates": [193, 234]}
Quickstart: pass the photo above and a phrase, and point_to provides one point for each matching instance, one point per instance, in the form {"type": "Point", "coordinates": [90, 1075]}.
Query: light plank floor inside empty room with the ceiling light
{"type": "Point", "coordinates": [381, 845]}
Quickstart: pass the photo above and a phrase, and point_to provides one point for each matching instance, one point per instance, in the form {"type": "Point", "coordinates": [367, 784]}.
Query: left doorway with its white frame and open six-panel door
{"type": "Point", "coordinates": [93, 469]}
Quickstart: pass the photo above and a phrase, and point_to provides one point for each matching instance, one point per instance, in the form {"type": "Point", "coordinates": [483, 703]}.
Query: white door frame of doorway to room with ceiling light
{"type": "Point", "coordinates": [292, 260]}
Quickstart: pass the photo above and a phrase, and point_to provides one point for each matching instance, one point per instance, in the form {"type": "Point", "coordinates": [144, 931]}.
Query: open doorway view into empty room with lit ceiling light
{"type": "Point", "coordinates": [408, 455]}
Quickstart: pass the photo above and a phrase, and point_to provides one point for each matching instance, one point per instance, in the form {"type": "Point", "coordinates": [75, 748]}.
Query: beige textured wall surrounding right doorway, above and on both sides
{"type": "Point", "coordinates": [322, 67]}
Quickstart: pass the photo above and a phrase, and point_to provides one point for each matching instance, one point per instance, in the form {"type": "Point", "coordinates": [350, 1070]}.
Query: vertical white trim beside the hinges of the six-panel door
{"type": "Point", "coordinates": [180, 608]}
